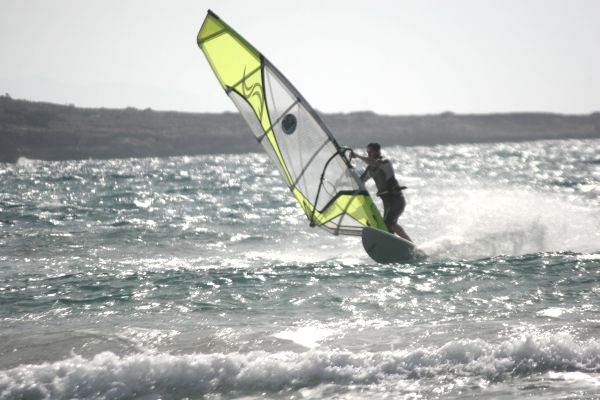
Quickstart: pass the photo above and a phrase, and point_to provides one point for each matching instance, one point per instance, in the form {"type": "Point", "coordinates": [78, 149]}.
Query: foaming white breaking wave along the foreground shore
{"type": "Point", "coordinates": [148, 375]}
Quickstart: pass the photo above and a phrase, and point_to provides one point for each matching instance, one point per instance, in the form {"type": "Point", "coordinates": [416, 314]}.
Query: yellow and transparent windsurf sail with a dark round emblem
{"type": "Point", "coordinates": [313, 165]}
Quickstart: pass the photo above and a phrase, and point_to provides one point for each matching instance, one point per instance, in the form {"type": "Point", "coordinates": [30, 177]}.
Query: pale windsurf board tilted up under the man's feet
{"type": "Point", "coordinates": [385, 247]}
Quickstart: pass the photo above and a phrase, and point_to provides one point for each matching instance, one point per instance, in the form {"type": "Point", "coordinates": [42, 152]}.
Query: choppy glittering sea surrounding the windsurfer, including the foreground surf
{"type": "Point", "coordinates": [200, 278]}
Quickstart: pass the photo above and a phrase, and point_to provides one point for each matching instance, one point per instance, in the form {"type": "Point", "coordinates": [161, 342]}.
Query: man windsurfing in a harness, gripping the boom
{"type": "Point", "coordinates": [382, 172]}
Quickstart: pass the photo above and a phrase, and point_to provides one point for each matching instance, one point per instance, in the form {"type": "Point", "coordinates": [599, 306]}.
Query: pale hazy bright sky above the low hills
{"type": "Point", "coordinates": [401, 57]}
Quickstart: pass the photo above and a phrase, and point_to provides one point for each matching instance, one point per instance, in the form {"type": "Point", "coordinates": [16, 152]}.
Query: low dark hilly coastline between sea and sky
{"type": "Point", "coordinates": [48, 131]}
